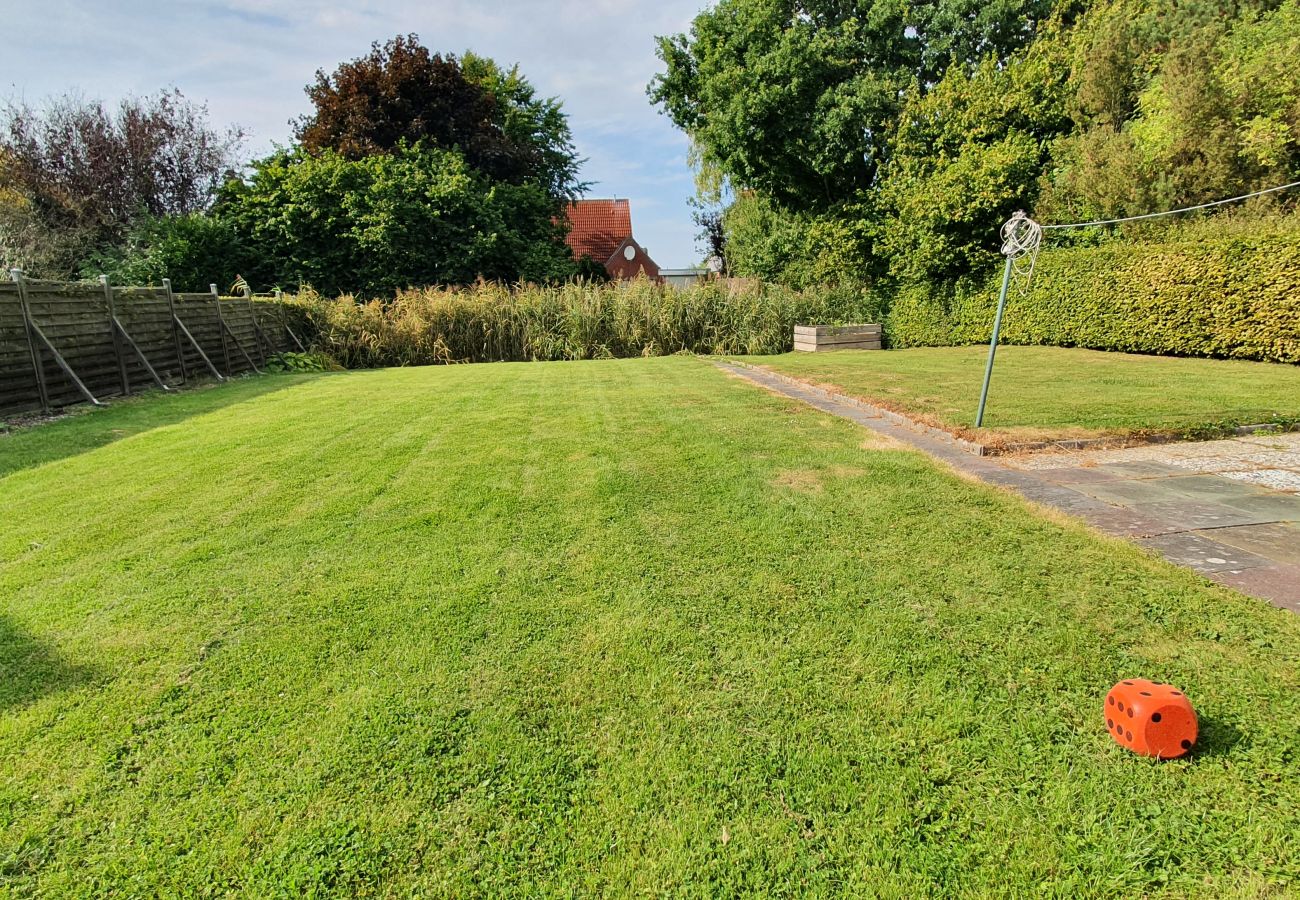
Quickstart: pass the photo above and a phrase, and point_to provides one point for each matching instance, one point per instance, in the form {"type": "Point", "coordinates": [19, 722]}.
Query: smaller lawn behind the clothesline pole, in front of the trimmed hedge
{"type": "Point", "coordinates": [1042, 392]}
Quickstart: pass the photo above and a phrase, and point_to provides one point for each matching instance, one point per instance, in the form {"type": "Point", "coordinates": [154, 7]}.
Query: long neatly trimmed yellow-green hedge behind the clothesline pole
{"type": "Point", "coordinates": [1236, 298]}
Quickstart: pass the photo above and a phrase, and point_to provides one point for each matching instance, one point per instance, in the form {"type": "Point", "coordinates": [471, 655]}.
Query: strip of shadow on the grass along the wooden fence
{"type": "Point", "coordinates": [88, 429]}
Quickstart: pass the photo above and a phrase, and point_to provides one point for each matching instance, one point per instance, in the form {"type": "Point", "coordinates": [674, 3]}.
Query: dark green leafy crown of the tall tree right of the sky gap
{"type": "Point", "coordinates": [799, 99]}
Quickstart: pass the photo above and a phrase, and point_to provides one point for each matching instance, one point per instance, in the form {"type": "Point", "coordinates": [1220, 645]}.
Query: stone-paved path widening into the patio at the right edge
{"type": "Point", "coordinates": [1229, 510]}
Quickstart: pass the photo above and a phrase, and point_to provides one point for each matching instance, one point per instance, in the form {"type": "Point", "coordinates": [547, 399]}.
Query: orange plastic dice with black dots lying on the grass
{"type": "Point", "coordinates": [1150, 719]}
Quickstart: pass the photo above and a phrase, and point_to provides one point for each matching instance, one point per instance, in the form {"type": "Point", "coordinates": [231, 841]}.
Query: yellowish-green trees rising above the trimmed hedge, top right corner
{"type": "Point", "coordinates": [1178, 103]}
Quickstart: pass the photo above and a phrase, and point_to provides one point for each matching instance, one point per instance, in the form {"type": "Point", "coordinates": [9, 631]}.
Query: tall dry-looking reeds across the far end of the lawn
{"type": "Point", "coordinates": [577, 321]}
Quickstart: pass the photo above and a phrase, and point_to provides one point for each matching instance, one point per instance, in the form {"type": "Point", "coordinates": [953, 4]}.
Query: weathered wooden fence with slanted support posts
{"type": "Point", "coordinates": [64, 344]}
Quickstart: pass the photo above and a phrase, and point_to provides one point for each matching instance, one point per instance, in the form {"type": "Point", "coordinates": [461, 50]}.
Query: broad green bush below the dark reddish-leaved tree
{"type": "Point", "coordinates": [378, 224]}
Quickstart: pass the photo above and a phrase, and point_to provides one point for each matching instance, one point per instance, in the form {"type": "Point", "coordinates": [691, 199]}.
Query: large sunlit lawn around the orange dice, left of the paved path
{"type": "Point", "coordinates": [608, 628]}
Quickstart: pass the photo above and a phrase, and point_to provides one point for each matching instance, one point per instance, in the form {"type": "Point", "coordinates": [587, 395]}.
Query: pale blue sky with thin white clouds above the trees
{"type": "Point", "coordinates": [249, 60]}
